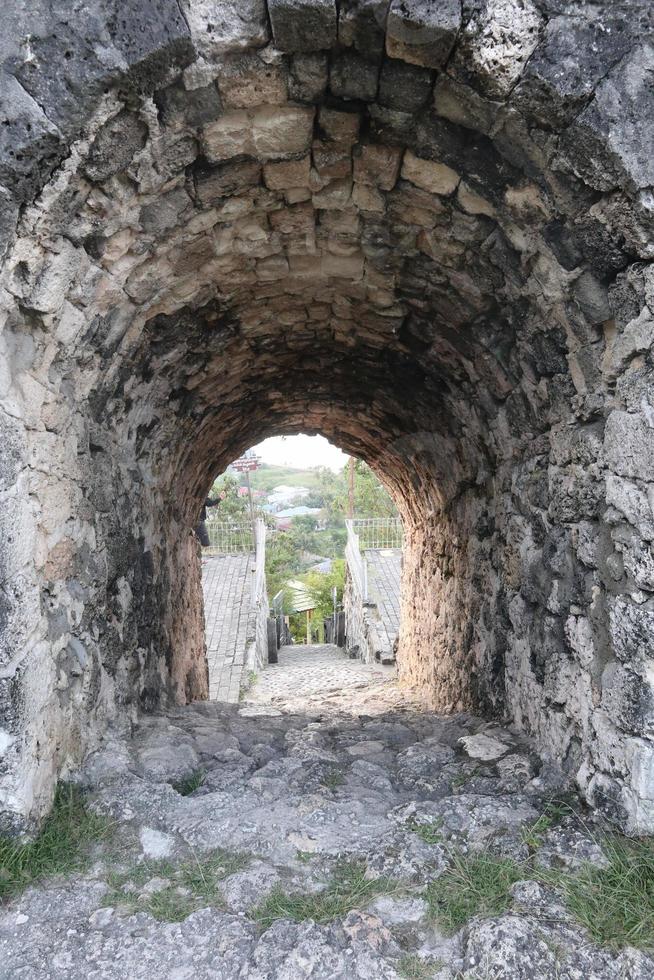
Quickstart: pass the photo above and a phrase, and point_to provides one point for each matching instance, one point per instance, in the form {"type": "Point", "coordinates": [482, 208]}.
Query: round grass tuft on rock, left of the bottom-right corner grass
{"type": "Point", "coordinates": [476, 884]}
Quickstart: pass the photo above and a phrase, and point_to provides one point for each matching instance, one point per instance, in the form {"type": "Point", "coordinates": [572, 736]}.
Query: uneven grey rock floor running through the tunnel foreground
{"type": "Point", "coordinates": [295, 792]}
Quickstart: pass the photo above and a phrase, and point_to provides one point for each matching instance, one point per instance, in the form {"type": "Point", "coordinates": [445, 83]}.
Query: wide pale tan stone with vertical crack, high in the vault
{"type": "Point", "coordinates": [268, 133]}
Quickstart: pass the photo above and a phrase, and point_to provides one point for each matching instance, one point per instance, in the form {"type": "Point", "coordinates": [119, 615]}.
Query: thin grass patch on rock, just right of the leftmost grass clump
{"type": "Point", "coordinates": [191, 885]}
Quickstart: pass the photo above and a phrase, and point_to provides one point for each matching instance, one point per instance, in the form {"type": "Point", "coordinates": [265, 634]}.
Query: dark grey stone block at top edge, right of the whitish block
{"type": "Point", "coordinates": [303, 25]}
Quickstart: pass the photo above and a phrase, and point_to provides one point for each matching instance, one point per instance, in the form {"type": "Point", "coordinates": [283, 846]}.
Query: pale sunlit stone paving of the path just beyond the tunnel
{"type": "Point", "coordinates": [310, 673]}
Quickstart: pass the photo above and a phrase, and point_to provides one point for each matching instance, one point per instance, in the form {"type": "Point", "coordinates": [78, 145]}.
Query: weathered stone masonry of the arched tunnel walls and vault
{"type": "Point", "coordinates": [423, 229]}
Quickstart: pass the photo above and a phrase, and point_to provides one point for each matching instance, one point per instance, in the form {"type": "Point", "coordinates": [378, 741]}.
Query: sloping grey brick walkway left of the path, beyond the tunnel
{"type": "Point", "coordinates": [226, 583]}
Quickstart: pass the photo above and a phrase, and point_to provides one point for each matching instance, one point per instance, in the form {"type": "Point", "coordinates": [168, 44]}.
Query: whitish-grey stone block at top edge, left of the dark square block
{"type": "Point", "coordinates": [220, 27]}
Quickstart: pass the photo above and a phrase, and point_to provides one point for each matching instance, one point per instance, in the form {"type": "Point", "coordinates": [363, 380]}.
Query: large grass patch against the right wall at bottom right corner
{"type": "Point", "coordinates": [615, 904]}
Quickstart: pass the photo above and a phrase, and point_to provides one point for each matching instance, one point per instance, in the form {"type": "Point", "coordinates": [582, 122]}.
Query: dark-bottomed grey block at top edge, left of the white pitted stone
{"type": "Point", "coordinates": [422, 32]}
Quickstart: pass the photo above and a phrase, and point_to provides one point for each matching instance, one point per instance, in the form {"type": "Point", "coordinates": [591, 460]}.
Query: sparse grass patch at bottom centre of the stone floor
{"type": "Point", "coordinates": [347, 889]}
